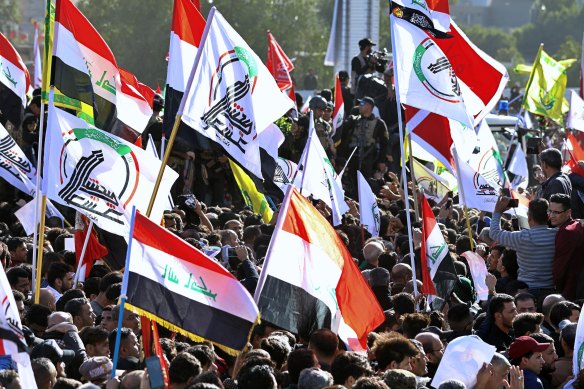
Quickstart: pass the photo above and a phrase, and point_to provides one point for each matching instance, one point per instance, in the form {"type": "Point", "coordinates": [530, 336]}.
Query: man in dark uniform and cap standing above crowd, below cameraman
{"type": "Point", "coordinates": [369, 135]}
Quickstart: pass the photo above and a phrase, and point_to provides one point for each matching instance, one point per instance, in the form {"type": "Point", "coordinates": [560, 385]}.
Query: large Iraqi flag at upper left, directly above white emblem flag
{"type": "Point", "coordinates": [85, 72]}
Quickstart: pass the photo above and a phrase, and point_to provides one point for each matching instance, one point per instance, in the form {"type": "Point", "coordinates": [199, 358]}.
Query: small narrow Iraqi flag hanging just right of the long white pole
{"type": "Point", "coordinates": [438, 273]}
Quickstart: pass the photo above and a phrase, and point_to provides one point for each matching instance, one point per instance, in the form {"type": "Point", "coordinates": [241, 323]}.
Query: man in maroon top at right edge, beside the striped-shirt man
{"type": "Point", "coordinates": [567, 267]}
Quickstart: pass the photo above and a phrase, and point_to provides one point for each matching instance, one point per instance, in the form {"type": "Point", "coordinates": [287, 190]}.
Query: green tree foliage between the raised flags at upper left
{"type": "Point", "coordinates": [137, 31]}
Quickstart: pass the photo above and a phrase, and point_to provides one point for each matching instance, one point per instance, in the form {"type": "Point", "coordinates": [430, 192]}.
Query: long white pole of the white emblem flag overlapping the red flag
{"type": "Point", "coordinates": [403, 157]}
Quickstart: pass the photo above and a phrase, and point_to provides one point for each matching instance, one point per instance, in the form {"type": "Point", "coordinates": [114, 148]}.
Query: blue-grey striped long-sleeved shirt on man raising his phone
{"type": "Point", "coordinates": [535, 251]}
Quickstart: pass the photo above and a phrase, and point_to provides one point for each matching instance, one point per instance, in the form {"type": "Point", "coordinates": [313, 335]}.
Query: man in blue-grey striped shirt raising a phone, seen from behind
{"type": "Point", "coordinates": [535, 247]}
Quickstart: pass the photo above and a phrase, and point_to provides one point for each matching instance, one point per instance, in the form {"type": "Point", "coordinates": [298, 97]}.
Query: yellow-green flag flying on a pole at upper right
{"type": "Point", "coordinates": [544, 94]}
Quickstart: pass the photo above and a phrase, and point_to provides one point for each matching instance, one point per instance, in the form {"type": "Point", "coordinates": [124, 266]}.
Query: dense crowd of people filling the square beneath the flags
{"type": "Point", "coordinates": [530, 315]}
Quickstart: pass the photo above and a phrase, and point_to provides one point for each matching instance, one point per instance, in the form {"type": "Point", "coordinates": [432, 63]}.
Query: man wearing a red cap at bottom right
{"type": "Point", "coordinates": [526, 353]}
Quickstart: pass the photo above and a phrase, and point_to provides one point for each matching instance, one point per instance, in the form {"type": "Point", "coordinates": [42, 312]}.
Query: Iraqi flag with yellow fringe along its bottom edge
{"type": "Point", "coordinates": [179, 287]}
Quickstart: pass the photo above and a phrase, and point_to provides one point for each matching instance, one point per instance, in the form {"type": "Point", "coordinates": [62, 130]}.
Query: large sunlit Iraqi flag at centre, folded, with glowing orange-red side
{"type": "Point", "coordinates": [309, 280]}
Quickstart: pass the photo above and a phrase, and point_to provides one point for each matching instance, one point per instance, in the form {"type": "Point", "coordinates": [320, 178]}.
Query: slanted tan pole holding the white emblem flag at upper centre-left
{"type": "Point", "coordinates": [179, 113]}
